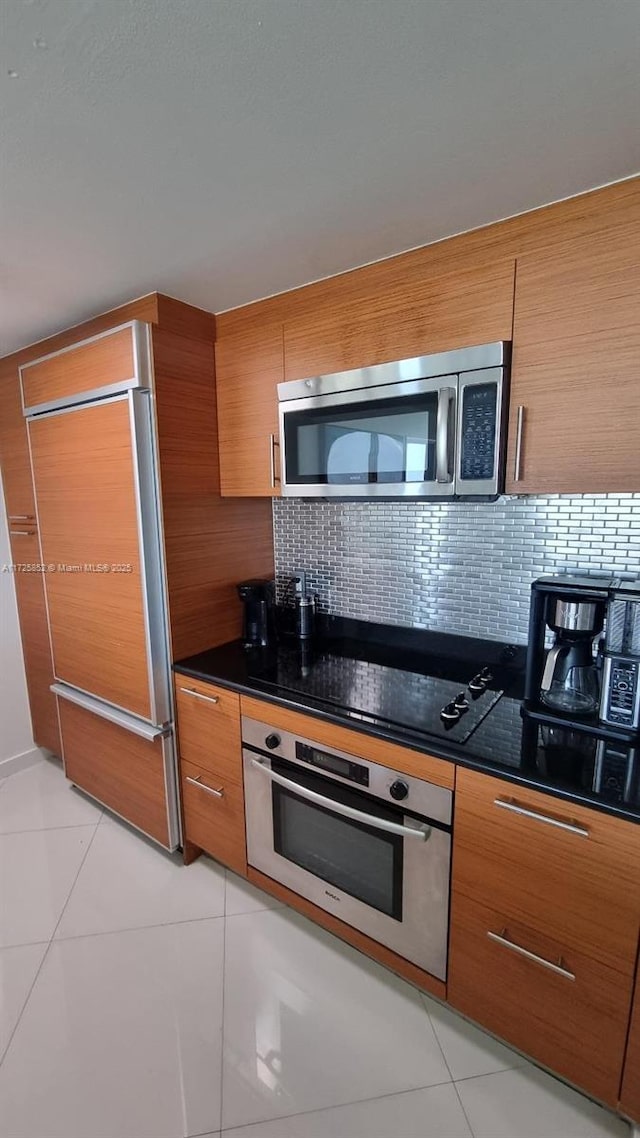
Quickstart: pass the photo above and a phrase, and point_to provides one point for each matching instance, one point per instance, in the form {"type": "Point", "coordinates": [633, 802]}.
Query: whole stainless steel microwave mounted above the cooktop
{"type": "Point", "coordinates": [429, 427]}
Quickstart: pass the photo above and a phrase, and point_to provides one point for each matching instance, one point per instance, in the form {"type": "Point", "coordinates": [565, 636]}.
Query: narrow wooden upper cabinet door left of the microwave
{"type": "Point", "coordinates": [249, 368]}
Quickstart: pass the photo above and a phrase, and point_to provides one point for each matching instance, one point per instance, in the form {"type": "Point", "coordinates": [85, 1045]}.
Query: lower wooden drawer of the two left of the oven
{"type": "Point", "coordinates": [215, 815]}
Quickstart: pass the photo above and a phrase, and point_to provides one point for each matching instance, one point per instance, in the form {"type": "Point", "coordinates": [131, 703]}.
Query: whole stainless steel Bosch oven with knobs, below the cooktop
{"type": "Point", "coordinates": [365, 843]}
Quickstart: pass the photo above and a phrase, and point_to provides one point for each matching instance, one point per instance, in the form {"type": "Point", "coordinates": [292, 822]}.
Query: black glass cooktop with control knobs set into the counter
{"type": "Point", "coordinates": [447, 706]}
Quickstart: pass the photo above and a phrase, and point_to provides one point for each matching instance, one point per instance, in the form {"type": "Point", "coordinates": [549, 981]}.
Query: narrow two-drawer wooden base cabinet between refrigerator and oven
{"type": "Point", "coordinates": [211, 771]}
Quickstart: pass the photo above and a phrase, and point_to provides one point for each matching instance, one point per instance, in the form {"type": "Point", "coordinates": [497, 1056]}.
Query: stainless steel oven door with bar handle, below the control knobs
{"type": "Point", "coordinates": [379, 870]}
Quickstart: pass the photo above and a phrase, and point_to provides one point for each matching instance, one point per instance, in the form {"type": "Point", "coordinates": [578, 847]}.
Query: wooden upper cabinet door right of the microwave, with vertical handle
{"type": "Point", "coordinates": [577, 369]}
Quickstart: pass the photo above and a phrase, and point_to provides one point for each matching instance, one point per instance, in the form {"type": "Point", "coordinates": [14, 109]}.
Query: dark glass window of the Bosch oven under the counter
{"type": "Point", "coordinates": [357, 859]}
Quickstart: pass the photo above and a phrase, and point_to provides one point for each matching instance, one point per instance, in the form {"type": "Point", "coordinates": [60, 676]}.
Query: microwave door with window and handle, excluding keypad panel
{"type": "Point", "coordinates": [383, 442]}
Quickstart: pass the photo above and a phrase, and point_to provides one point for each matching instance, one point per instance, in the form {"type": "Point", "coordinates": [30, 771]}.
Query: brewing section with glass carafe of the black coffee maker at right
{"type": "Point", "coordinates": [565, 679]}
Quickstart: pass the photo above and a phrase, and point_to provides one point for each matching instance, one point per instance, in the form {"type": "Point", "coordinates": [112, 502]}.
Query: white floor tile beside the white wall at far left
{"type": "Point", "coordinates": [40, 798]}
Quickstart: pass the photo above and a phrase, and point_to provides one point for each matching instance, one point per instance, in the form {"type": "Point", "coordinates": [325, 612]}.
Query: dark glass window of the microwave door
{"type": "Point", "coordinates": [384, 441]}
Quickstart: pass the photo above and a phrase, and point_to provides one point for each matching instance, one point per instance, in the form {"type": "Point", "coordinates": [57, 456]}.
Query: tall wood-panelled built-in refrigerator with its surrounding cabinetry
{"type": "Point", "coordinates": [124, 435]}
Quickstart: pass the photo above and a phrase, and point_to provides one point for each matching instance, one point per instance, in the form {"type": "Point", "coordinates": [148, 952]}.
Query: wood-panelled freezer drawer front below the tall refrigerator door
{"type": "Point", "coordinates": [122, 771]}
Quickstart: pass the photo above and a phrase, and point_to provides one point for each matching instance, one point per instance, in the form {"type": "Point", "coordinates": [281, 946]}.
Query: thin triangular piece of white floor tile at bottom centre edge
{"type": "Point", "coordinates": [431, 1114]}
